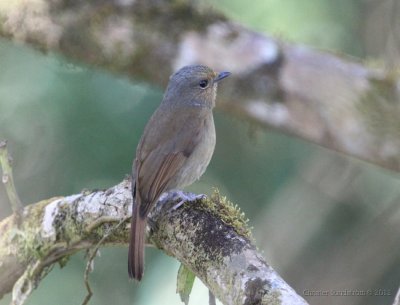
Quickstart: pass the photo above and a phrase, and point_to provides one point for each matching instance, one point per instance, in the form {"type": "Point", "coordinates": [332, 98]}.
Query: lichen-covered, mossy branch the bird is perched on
{"type": "Point", "coordinates": [209, 236]}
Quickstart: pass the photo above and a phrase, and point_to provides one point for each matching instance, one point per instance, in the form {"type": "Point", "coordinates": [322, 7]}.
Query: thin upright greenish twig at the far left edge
{"type": "Point", "coordinates": [8, 180]}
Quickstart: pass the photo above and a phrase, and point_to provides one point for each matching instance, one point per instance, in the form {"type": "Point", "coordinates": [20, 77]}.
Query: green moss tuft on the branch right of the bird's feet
{"type": "Point", "coordinates": [228, 212]}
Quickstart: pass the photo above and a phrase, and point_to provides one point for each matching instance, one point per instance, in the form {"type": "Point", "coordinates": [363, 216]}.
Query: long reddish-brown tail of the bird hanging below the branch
{"type": "Point", "coordinates": [136, 245]}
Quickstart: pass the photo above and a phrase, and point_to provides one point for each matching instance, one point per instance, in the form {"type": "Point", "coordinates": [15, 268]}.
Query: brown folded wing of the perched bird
{"type": "Point", "coordinates": [157, 164]}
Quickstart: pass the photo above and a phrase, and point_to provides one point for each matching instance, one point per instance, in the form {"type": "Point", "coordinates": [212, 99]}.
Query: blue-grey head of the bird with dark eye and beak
{"type": "Point", "coordinates": [194, 85]}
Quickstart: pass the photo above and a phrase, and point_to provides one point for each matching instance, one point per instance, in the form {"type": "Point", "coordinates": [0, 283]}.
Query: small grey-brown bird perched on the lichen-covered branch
{"type": "Point", "coordinates": [176, 146]}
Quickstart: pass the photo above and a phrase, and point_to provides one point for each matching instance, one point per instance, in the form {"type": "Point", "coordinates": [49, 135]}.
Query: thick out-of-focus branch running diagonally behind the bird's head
{"type": "Point", "coordinates": [320, 97]}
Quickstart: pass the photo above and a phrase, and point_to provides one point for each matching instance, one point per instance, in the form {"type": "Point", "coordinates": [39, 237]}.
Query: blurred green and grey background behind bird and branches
{"type": "Point", "coordinates": [323, 221]}
